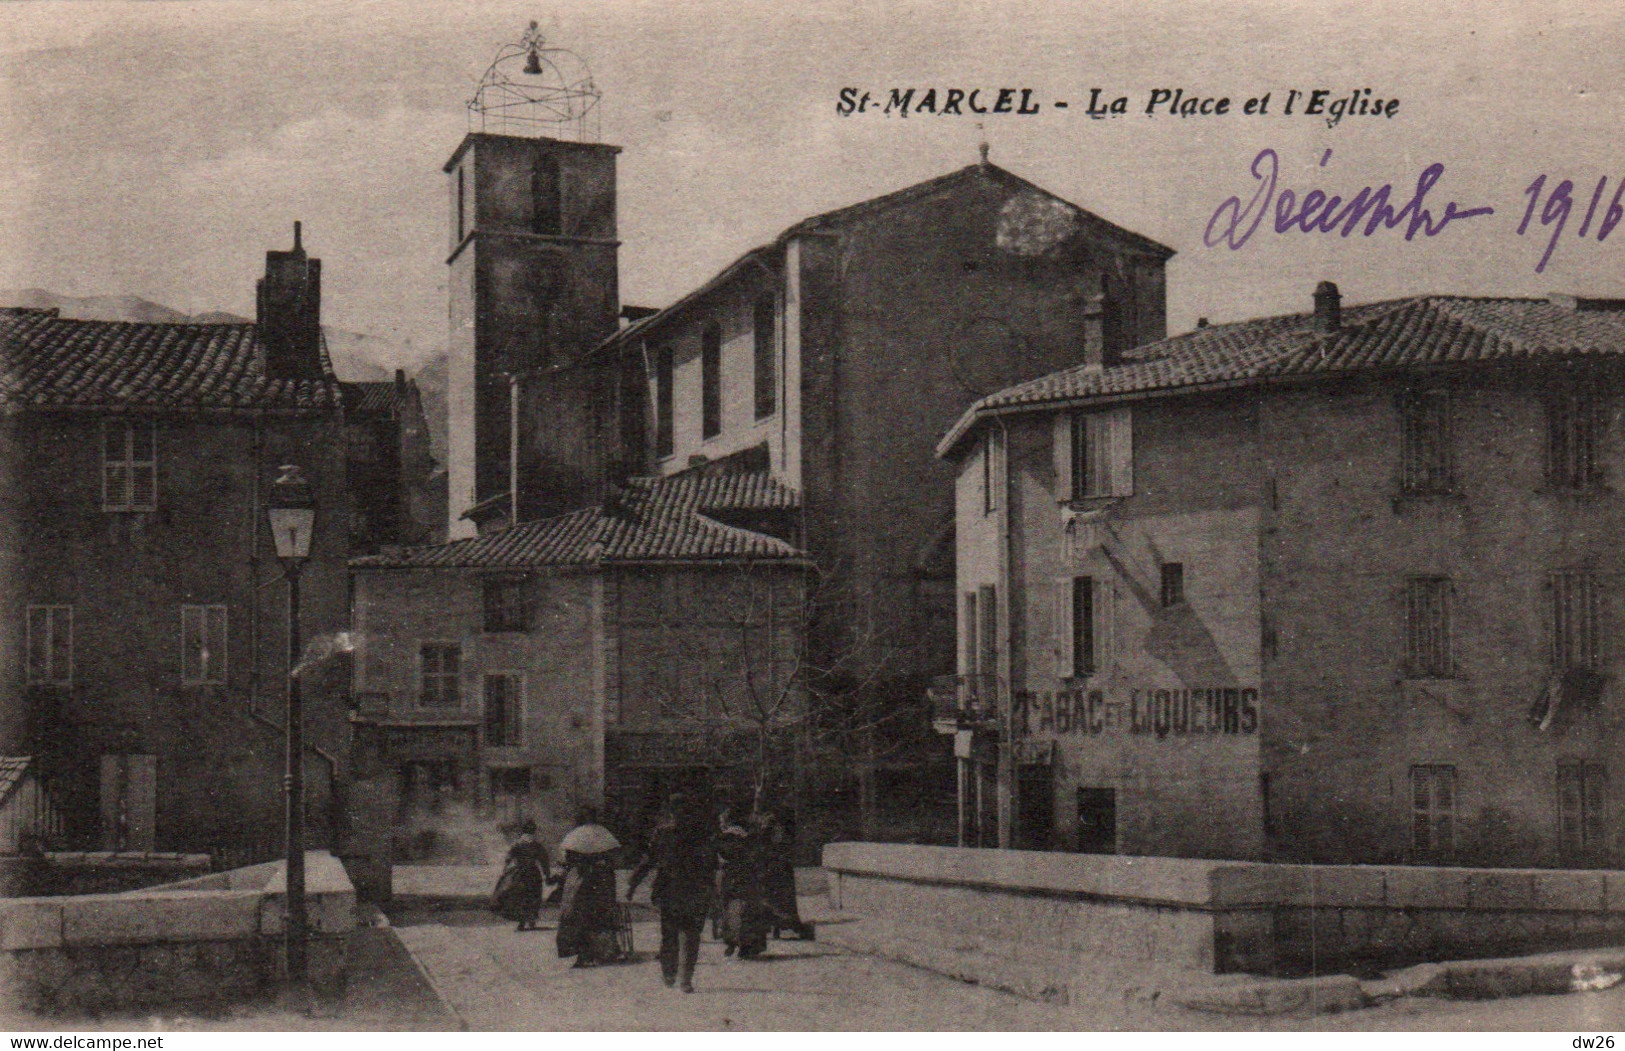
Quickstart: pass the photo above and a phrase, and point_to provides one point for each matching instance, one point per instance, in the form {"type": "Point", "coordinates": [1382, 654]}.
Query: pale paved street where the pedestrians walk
{"type": "Point", "coordinates": [503, 980]}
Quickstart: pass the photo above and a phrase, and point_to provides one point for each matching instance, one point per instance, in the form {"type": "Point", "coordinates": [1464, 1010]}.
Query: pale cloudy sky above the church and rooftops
{"type": "Point", "coordinates": [160, 149]}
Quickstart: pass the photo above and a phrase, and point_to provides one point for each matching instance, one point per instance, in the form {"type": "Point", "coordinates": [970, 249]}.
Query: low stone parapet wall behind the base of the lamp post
{"type": "Point", "coordinates": [217, 938]}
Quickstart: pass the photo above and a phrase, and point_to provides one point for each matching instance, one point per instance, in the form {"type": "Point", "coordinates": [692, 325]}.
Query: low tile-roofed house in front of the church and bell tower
{"type": "Point", "coordinates": [604, 657]}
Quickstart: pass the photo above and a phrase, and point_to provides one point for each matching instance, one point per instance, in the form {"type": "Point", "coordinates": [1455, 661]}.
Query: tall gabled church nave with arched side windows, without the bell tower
{"type": "Point", "coordinates": [831, 358]}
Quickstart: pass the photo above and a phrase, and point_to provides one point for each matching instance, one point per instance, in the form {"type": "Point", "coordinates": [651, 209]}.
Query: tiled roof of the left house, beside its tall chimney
{"type": "Point", "coordinates": [50, 361]}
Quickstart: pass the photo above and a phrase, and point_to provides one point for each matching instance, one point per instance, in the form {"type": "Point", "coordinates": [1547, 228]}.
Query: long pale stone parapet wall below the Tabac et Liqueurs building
{"type": "Point", "coordinates": [1044, 923]}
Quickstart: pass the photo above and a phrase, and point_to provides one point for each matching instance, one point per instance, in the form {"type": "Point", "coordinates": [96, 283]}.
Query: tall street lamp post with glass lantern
{"type": "Point", "coordinates": [292, 514]}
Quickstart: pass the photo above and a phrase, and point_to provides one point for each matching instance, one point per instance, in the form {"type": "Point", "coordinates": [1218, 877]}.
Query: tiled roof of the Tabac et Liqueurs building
{"type": "Point", "coordinates": [1400, 334]}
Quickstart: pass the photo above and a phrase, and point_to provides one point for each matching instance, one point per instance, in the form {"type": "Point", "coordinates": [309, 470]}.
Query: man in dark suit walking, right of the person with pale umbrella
{"type": "Point", "coordinates": [685, 863]}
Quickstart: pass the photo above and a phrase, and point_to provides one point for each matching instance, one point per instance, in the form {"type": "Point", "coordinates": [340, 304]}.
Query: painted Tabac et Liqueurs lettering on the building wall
{"type": "Point", "coordinates": [1158, 714]}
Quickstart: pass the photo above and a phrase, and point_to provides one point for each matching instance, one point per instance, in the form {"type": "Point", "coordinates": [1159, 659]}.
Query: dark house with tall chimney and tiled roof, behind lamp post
{"type": "Point", "coordinates": [145, 625]}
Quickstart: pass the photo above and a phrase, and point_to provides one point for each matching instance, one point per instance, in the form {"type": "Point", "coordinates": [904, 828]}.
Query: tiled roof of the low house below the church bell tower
{"type": "Point", "coordinates": [652, 521]}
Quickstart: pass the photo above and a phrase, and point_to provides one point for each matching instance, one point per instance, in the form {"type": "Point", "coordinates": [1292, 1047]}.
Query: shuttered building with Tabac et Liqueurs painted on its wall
{"type": "Point", "coordinates": [1324, 587]}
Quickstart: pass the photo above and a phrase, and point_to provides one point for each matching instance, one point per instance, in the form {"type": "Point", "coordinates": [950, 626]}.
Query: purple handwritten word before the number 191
{"type": "Point", "coordinates": [1324, 214]}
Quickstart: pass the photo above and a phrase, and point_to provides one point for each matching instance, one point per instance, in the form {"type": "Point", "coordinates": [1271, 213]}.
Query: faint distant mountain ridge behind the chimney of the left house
{"type": "Point", "coordinates": [358, 358]}
